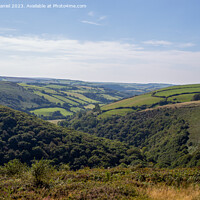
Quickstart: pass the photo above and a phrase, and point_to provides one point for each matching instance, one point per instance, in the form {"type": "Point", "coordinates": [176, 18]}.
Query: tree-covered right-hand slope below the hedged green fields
{"type": "Point", "coordinates": [168, 135]}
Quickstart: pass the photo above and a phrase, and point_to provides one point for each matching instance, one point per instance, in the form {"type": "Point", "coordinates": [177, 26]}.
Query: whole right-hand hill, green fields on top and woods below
{"type": "Point", "coordinates": [162, 123]}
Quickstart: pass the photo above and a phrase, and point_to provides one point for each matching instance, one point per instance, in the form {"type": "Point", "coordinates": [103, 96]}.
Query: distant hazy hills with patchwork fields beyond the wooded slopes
{"type": "Point", "coordinates": [58, 98]}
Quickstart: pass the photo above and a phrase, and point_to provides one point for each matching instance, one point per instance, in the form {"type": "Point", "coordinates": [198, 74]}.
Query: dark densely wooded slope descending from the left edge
{"type": "Point", "coordinates": [26, 138]}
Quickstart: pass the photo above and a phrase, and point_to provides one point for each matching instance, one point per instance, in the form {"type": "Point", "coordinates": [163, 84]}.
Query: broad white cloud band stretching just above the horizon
{"type": "Point", "coordinates": [95, 61]}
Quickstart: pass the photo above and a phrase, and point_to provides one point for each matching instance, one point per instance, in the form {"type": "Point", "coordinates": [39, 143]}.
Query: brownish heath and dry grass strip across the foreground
{"type": "Point", "coordinates": [105, 184]}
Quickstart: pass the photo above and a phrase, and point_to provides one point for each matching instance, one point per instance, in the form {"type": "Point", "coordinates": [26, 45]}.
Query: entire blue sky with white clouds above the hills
{"type": "Point", "coordinates": [132, 41]}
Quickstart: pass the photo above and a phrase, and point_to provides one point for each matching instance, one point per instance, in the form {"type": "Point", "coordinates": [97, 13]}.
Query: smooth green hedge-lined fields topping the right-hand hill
{"type": "Point", "coordinates": [169, 95]}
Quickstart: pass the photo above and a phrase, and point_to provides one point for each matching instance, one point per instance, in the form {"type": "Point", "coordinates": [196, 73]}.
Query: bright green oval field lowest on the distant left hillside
{"type": "Point", "coordinates": [49, 111]}
